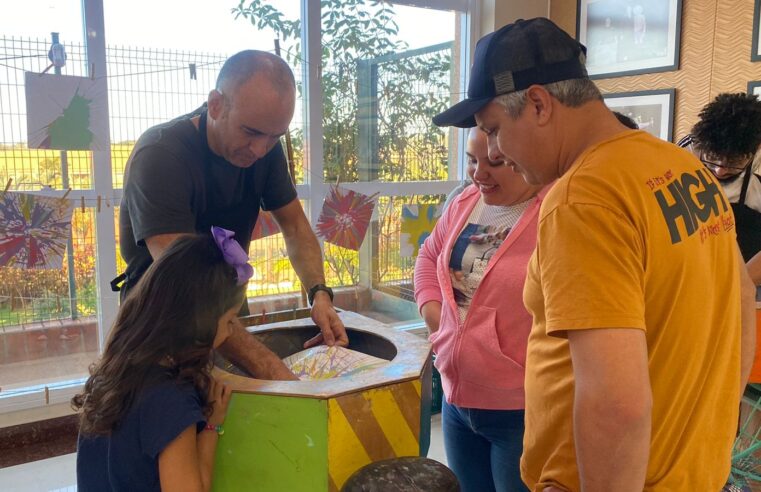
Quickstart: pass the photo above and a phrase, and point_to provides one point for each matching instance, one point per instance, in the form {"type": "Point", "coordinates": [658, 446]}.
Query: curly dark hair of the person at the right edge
{"type": "Point", "coordinates": [729, 126]}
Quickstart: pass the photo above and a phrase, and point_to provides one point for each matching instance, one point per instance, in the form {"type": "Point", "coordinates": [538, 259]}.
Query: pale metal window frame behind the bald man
{"type": "Point", "coordinates": [312, 191]}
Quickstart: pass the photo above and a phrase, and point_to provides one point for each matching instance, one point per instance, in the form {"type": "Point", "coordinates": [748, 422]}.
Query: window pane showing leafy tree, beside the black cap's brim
{"type": "Point", "coordinates": [388, 69]}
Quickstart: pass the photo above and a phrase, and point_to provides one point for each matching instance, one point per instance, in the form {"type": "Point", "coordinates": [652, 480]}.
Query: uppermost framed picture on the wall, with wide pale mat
{"type": "Point", "coordinates": [628, 37]}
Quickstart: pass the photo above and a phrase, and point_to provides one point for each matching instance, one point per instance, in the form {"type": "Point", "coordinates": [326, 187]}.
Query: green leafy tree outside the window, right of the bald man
{"type": "Point", "coordinates": [410, 89]}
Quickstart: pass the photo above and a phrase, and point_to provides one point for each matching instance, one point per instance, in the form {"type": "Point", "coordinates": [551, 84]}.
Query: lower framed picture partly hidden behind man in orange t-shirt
{"type": "Point", "coordinates": [653, 111]}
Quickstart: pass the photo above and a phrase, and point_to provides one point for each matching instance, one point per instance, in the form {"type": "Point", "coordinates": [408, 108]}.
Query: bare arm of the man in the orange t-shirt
{"type": "Point", "coordinates": [612, 408]}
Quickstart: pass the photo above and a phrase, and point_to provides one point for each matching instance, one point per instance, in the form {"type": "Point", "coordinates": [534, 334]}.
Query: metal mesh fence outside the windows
{"type": "Point", "coordinates": [150, 86]}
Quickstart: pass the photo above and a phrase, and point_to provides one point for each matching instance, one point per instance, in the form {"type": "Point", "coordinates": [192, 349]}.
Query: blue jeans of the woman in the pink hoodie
{"type": "Point", "coordinates": [484, 447]}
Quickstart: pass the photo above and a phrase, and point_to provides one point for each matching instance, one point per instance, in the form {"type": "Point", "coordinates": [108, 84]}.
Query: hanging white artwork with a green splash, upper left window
{"type": "Point", "coordinates": [66, 113]}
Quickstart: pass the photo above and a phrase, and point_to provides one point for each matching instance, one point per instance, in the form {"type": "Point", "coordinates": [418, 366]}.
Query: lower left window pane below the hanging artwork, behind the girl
{"type": "Point", "coordinates": [47, 330]}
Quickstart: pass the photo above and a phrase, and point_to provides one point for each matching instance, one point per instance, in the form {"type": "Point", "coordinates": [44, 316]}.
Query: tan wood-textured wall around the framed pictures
{"type": "Point", "coordinates": [714, 56]}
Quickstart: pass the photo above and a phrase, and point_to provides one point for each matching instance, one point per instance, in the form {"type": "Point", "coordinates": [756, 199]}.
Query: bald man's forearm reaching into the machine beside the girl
{"type": "Point", "coordinates": [247, 352]}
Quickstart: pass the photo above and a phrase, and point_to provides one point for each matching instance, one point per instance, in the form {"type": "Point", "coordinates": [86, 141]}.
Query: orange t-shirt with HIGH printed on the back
{"type": "Point", "coordinates": [637, 234]}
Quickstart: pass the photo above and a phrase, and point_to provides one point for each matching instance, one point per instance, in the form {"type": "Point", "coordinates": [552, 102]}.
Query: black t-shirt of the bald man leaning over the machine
{"type": "Point", "coordinates": [172, 179]}
